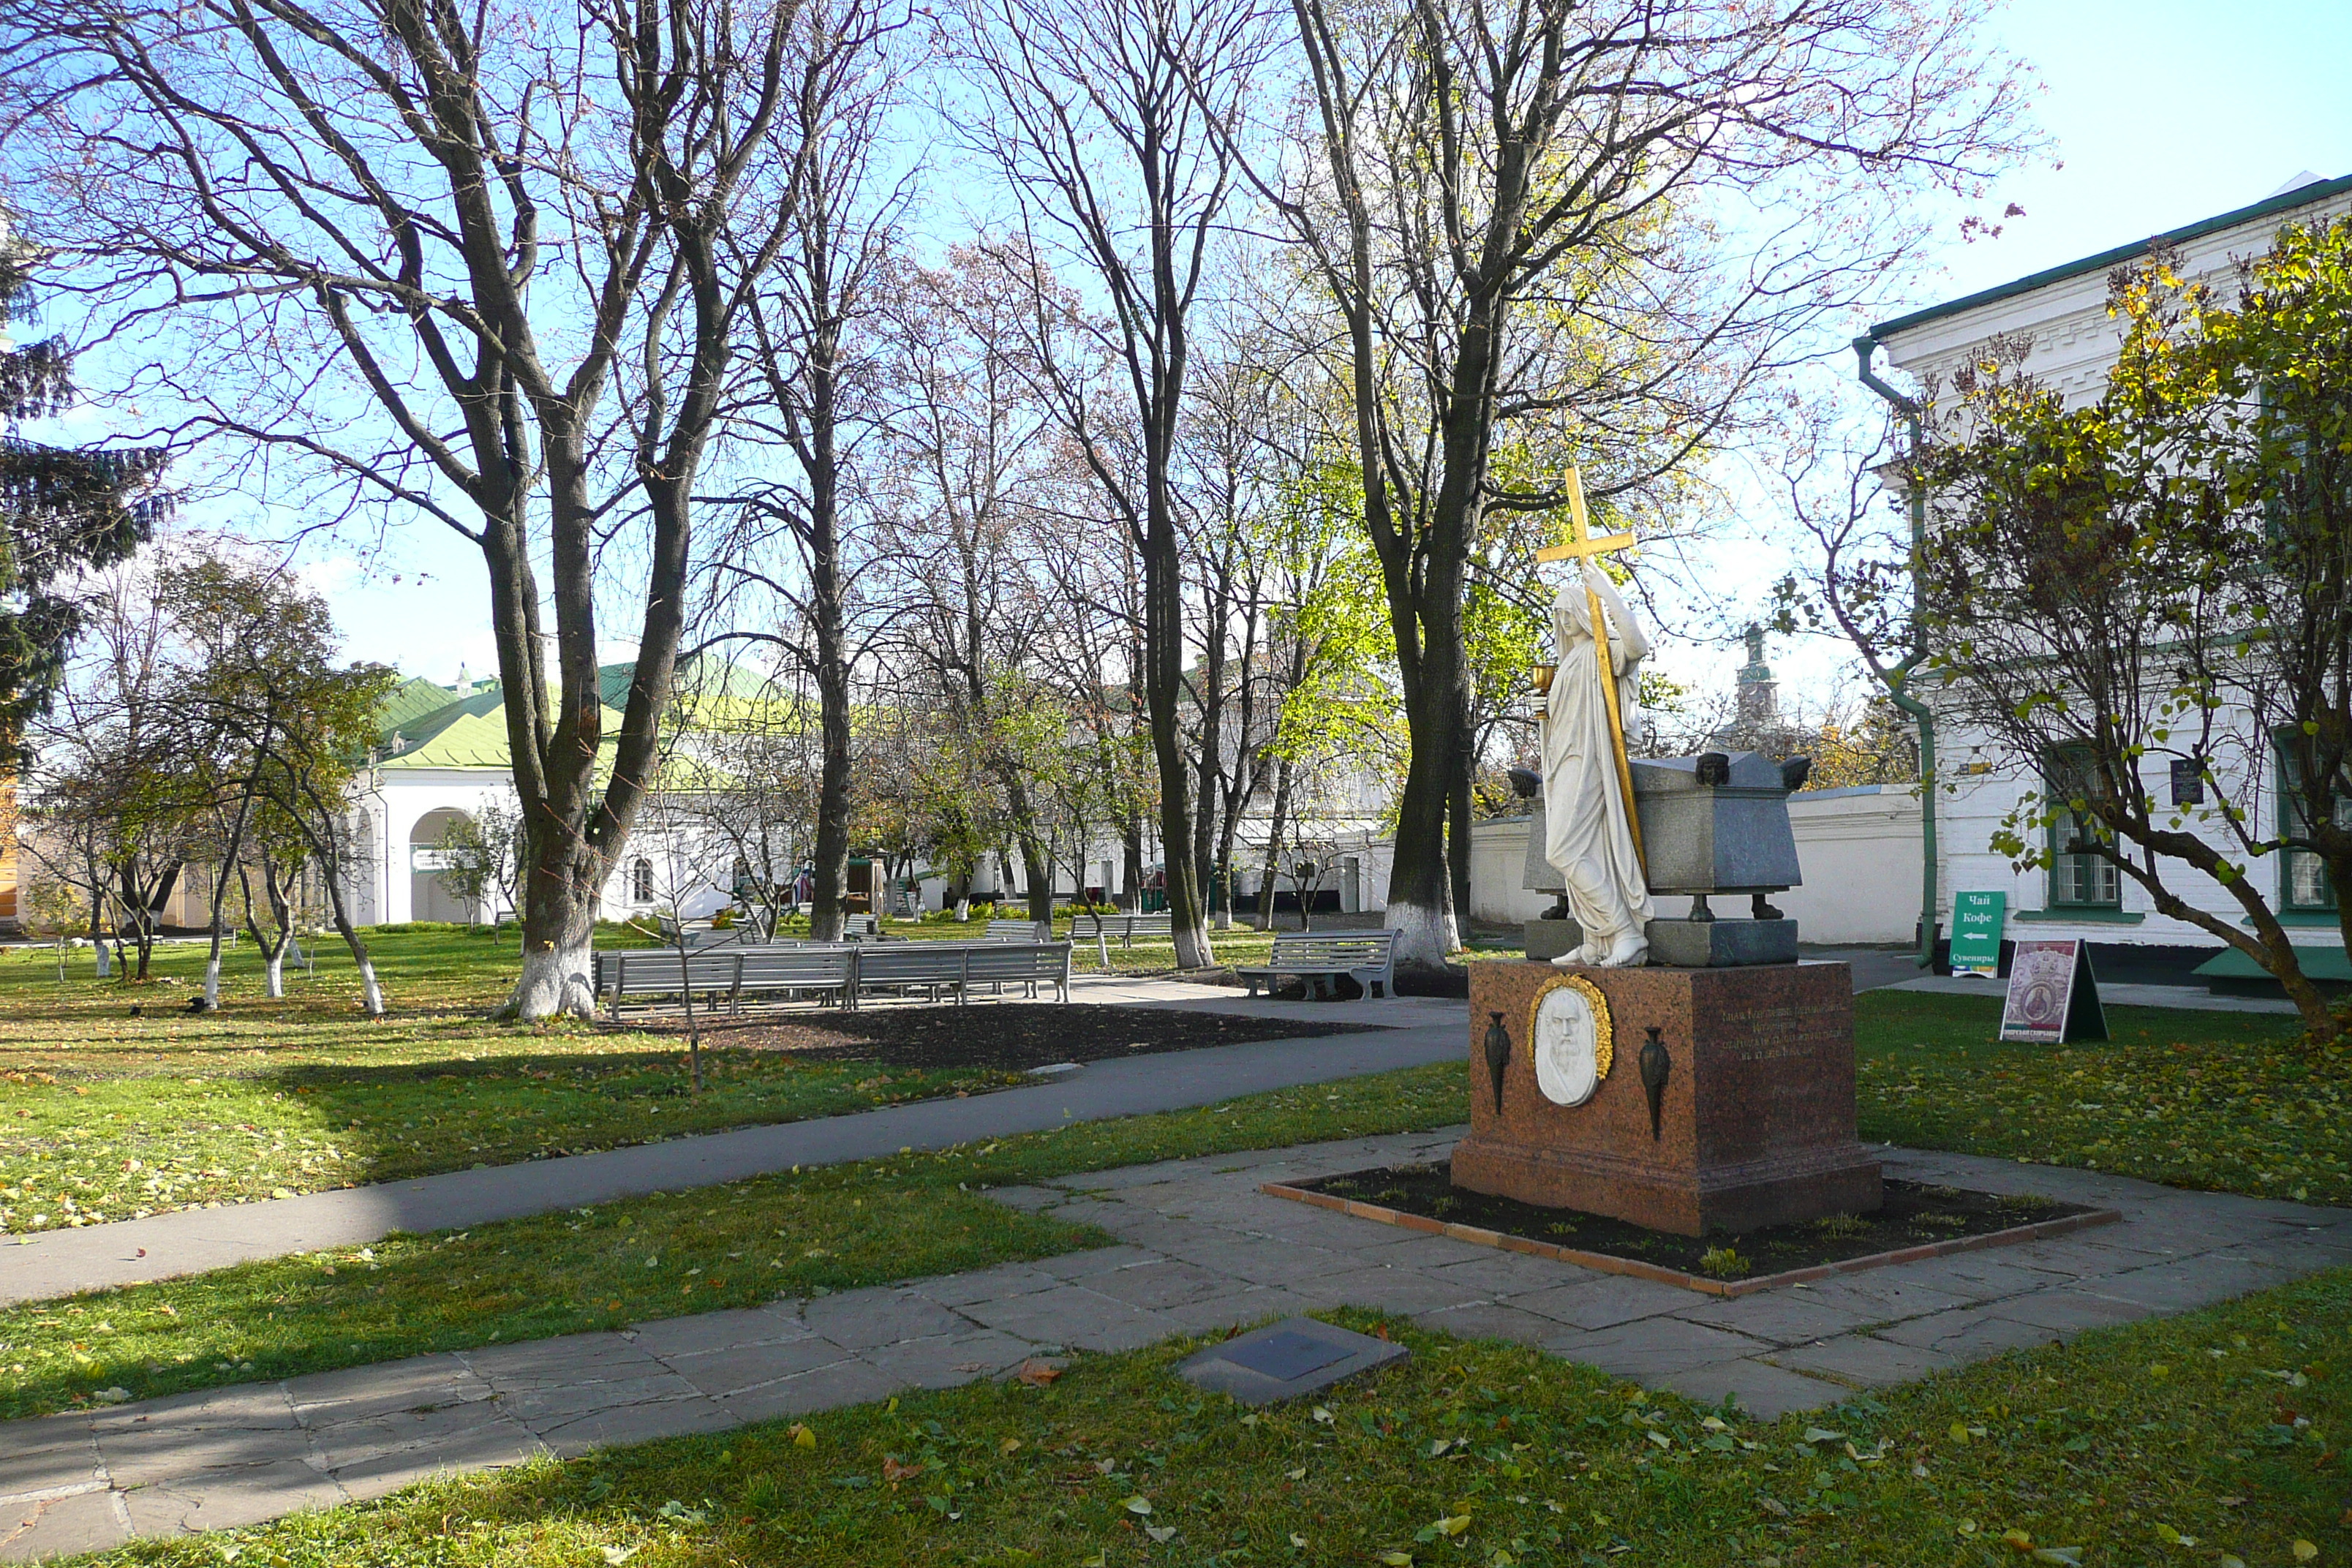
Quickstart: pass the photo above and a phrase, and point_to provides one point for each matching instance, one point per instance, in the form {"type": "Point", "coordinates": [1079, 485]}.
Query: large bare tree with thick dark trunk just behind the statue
{"type": "Point", "coordinates": [1485, 177]}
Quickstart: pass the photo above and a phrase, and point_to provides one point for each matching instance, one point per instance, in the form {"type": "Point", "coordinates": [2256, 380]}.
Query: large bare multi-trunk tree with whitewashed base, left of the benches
{"type": "Point", "coordinates": [476, 264]}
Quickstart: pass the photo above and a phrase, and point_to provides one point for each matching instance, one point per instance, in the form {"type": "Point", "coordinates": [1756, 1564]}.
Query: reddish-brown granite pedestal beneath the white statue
{"type": "Point", "coordinates": [1756, 1125]}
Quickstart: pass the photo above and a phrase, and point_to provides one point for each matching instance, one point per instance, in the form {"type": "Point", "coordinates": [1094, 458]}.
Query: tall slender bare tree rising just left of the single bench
{"type": "Point", "coordinates": [1100, 126]}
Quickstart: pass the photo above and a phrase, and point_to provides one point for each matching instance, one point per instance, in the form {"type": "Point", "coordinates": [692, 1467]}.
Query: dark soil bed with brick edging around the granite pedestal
{"type": "Point", "coordinates": [1913, 1217]}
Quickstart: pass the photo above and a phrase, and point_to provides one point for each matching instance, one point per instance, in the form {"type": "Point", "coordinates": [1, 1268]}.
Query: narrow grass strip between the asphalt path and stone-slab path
{"type": "Point", "coordinates": [643, 1259]}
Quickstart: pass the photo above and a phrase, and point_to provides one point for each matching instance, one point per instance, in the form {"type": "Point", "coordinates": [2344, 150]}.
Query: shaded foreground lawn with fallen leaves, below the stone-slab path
{"type": "Point", "coordinates": [2200, 1440]}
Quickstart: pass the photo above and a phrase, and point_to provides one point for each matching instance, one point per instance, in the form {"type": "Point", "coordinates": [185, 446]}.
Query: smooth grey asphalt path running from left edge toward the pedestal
{"type": "Point", "coordinates": [161, 1247]}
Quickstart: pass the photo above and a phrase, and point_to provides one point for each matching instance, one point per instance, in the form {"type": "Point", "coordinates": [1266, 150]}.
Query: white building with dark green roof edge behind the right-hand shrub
{"type": "Point", "coordinates": [2073, 347]}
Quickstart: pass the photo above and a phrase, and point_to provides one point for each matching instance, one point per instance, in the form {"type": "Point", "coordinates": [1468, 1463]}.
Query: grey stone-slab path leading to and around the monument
{"type": "Point", "coordinates": [1201, 1249]}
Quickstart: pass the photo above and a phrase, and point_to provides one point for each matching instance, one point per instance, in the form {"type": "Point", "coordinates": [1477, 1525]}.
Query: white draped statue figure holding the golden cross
{"type": "Point", "coordinates": [1589, 836]}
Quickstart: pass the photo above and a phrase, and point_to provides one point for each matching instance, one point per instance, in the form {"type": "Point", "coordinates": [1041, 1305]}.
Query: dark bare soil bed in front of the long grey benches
{"type": "Point", "coordinates": [1003, 1033]}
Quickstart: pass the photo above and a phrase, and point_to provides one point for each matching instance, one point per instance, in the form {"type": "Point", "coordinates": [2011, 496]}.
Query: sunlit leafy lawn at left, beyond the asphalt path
{"type": "Point", "coordinates": [114, 1118]}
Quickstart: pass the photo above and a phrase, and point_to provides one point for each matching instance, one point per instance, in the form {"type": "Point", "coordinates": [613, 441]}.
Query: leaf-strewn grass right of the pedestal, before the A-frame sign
{"type": "Point", "coordinates": [2217, 1101]}
